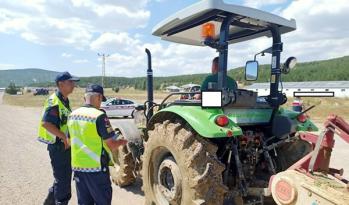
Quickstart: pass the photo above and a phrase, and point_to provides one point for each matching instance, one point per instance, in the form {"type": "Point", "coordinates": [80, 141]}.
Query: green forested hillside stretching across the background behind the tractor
{"type": "Point", "coordinates": [327, 70]}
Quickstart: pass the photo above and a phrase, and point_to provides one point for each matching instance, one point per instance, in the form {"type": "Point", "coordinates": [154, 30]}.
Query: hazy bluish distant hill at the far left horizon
{"type": "Point", "coordinates": [22, 77]}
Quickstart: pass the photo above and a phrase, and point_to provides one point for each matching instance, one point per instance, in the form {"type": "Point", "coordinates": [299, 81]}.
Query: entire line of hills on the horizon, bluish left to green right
{"type": "Point", "coordinates": [336, 69]}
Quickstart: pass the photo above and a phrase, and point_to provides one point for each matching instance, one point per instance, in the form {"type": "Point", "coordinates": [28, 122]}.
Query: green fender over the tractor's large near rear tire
{"type": "Point", "coordinates": [201, 120]}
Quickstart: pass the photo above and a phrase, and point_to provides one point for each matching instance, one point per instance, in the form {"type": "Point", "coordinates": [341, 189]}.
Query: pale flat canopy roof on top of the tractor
{"type": "Point", "coordinates": [185, 26]}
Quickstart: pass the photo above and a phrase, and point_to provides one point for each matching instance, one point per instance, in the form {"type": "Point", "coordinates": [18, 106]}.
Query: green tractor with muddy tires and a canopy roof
{"type": "Point", "coordinates": [205, 152]}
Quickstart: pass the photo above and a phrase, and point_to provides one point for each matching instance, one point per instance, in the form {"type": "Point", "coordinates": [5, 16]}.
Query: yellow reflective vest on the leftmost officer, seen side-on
{"type": "Point", "coordinates": [44, 135]}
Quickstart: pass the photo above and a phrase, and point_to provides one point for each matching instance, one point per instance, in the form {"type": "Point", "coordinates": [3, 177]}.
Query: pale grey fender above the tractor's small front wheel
{"type": "Point", "coordinates": [128, 129]}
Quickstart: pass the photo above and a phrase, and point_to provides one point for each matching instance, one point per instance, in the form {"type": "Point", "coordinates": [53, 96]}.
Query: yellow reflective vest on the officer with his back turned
{"type": "Point", "coordinates": [86, 144]}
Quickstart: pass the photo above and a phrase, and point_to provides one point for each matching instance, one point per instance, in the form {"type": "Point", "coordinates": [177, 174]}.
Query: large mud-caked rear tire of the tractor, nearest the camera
{"type": "Point", "coordinates": [181, 168]}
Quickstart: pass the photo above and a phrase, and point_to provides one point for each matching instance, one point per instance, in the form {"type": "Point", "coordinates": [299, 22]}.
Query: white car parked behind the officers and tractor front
{"type": "Point", "coordinates": [116, 107]}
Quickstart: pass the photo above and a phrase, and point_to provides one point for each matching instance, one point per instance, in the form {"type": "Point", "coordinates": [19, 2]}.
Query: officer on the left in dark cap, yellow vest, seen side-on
{"type": "Point", "coordinates": [53, 131]}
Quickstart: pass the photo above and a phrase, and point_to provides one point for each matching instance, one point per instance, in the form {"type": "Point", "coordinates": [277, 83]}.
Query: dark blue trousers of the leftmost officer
{"type": "Point", "coordinates": [60, 192]}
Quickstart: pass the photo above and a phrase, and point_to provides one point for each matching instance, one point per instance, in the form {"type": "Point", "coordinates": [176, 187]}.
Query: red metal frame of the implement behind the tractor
{"type": "Point", "coordinates": [319, 159]}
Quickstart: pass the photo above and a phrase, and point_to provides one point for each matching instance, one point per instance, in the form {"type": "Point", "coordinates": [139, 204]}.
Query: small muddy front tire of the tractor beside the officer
{"type": "Point", "coordinates": [122, 173]}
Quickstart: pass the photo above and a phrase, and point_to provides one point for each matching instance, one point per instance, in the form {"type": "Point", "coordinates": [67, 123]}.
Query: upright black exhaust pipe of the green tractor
{"type": "Point", "coordinates": [150, 90]}
